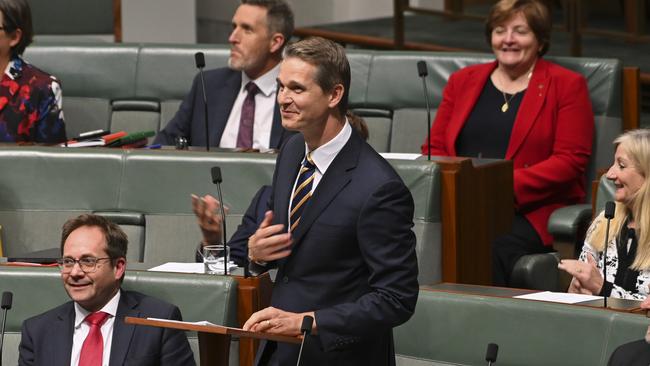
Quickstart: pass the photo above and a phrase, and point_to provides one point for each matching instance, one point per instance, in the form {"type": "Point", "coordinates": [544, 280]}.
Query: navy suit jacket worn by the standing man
{"type": "Point", "coordinates": [353, 257]}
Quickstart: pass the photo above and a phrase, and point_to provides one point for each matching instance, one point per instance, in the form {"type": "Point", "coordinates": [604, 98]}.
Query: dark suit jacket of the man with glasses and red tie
{"type": "Point", "coordinates": [47, 338]}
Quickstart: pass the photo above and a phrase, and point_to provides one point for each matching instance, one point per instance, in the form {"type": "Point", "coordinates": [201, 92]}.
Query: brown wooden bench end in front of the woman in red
{"type": "Point", "coordinates": [477, 206]}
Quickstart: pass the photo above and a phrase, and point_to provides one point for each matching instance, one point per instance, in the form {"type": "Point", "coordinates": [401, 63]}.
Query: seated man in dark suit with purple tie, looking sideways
{"type": "Point", "coordinates": [242, 109]}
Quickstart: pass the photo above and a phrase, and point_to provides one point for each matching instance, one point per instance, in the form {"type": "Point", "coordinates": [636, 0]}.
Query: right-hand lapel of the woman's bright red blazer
{"type": "Point", "coordinates": [530, 107]}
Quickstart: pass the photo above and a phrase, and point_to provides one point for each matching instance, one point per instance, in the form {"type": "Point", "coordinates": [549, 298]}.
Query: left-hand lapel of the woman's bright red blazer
{"type": "Point", "coordinates": [471, 90]}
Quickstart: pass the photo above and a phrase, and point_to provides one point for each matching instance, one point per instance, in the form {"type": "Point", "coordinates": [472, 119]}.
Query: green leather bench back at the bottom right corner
{"type": "Point", "coordinates": [454, 329]}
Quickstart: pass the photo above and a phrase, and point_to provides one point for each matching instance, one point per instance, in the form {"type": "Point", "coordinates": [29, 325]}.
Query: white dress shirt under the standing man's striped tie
{"type": "Point", "coordinates": [323, 157]}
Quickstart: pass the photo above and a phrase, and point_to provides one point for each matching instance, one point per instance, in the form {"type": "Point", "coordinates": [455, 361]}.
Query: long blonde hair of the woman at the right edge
{"type": "Point", "coordinates": [636, 144]}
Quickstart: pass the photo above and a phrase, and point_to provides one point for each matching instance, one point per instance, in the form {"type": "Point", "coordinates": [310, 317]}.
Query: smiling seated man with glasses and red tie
{"type": "Point", "coordinates": [90, 330]}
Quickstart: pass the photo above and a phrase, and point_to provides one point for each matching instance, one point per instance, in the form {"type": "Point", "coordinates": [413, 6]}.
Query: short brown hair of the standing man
{"type": "Point", "coordinates": [331, 64]}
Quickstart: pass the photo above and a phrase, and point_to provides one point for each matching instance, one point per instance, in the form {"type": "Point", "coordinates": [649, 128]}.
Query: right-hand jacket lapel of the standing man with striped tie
{"type": "Point", "coordinates": [337, 176]}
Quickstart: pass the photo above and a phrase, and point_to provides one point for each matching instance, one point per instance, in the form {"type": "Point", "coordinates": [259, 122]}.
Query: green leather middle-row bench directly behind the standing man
{"type": "Point", "coordinates": [148, 193]}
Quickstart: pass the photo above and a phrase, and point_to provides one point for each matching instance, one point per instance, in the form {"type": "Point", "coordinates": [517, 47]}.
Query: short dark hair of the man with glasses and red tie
{"type": "Point", "coordinates": [116, 240]}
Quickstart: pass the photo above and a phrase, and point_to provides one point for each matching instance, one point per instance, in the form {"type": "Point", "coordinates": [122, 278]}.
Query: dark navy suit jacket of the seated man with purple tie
{"type": "Point", "coordinates": [221, 88]}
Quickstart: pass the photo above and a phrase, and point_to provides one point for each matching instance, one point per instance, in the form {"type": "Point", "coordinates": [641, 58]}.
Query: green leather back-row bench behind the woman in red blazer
{"type": "Point", "coordinates": [140, 86]}
